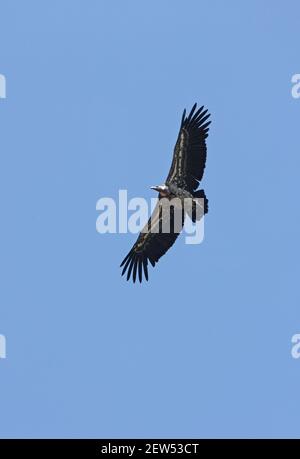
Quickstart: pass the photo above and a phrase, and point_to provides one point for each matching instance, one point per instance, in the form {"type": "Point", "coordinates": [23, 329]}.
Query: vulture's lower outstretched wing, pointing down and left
{"type": "Point", "coordinates": [153, 242]}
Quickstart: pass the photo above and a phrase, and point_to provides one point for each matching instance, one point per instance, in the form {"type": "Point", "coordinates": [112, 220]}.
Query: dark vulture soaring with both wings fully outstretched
{"type": "Point", "coordinates": [187, 169]}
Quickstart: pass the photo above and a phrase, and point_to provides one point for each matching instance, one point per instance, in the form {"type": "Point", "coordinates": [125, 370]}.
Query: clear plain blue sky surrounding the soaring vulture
{"type": "Point", "coordinates": [95, 91]}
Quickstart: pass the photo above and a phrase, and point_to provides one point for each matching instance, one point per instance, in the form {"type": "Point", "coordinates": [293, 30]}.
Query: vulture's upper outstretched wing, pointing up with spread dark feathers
{"type": "Point", "coordinates": [190, 150]}
